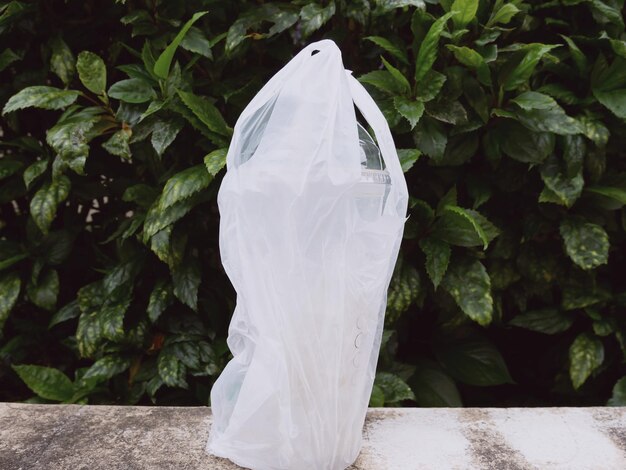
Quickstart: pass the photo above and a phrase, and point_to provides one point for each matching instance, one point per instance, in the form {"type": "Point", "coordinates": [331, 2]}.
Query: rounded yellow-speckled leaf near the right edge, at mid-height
{"type": "Point", "coordinates": [586, 244]}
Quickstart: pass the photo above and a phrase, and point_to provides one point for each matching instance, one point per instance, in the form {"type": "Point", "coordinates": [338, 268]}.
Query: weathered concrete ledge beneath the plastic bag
{"type": "Point", "coordinates": [114, 437]}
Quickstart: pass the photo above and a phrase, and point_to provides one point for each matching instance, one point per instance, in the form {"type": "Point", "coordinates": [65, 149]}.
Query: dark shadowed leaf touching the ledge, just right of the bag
{"type": "Point", "coordinates": [433, 387]}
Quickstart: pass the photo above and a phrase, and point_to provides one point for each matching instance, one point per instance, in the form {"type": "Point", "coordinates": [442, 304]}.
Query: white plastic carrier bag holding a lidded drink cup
{"type": "Point", "coordinates": [309, 239]}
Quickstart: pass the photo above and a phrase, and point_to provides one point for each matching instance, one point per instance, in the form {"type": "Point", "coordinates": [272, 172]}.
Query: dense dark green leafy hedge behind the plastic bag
{"type": "Point", "coordinates": [510, 120]}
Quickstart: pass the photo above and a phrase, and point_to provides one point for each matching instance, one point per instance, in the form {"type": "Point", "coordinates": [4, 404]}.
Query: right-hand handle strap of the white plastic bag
{"type": "Point", "coordinates": [377, 121]}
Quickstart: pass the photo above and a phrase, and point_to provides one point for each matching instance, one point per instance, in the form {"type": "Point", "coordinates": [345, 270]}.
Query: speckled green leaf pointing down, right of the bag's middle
{"type": "Point", "coordinates": [468, 283]}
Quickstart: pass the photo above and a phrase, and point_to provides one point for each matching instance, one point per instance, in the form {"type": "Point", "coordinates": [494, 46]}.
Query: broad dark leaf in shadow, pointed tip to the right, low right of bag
{"type": "Point", "coordinates": [474, 361]}
